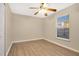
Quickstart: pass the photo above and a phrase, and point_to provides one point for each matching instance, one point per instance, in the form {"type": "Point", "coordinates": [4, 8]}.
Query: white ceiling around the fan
{"type": "Point", "coordinates": [23, 8]}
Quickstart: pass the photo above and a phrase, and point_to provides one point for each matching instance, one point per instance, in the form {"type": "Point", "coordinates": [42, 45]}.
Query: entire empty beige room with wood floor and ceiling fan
{"type": "Point", "coordinates": [39, 29]}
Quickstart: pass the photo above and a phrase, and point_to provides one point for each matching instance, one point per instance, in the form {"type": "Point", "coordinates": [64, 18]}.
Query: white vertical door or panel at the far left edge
{"type": "Point", "coordinates": [1, 29]}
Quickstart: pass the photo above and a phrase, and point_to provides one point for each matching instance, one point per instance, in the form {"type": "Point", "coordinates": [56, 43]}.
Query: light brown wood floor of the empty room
{"type": "Point", "coordinates": [39, 48]}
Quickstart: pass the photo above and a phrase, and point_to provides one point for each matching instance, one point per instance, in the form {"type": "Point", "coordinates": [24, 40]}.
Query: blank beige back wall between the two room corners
{"type": "Point", "coordinates": [26, 28]}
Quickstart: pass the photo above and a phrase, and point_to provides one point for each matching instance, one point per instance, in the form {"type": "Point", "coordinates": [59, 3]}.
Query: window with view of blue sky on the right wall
{"type": "Point", "coordinates": [63, 27]}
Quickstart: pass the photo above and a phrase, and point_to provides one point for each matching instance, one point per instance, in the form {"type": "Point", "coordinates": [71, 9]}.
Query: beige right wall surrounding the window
{"type": "Point", "coordinates": [50, 27]}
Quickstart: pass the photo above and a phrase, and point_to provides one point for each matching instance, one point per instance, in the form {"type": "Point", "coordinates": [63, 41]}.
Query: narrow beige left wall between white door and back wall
{"type": "Point", "coordinates": [8, 28]}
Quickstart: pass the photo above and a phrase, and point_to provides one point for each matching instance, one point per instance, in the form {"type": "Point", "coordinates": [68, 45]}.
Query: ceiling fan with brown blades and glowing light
{"type": "Point", "coordinates": [43, 6]}
